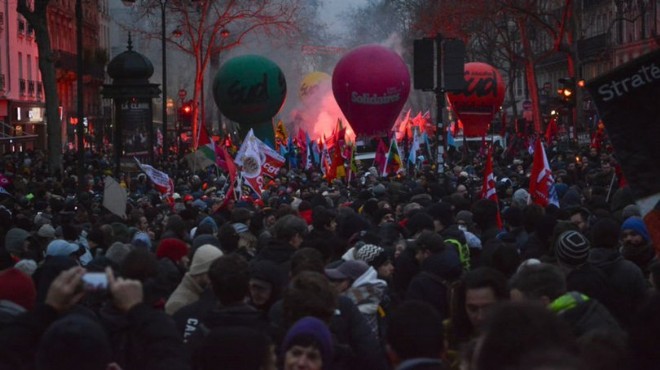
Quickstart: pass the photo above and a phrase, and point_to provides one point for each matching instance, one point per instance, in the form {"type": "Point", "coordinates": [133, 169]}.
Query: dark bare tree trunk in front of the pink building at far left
{"type": "Point", "coordinates": [36, 16]}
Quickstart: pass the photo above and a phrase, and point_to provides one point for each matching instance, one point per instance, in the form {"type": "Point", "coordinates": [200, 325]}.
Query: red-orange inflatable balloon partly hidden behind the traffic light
{"type": "Point", "coordinates": [477, 104]}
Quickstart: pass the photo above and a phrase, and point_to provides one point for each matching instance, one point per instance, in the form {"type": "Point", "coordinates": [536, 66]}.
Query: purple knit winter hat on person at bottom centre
{"type": "Point", "coordinates": [310, 328]}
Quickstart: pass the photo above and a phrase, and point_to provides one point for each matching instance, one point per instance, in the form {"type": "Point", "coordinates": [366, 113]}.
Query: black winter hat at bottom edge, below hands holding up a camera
{"type": "Point", "coordinates": [74, 342]}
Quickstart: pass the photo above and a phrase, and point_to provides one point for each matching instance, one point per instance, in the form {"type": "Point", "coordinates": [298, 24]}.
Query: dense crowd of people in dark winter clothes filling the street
{"type": "Point", "coordinates": [408, 271]}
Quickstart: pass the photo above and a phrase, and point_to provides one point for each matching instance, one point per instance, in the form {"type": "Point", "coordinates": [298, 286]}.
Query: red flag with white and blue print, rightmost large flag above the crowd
{"type": "Point", "coordinates": [541, 182]}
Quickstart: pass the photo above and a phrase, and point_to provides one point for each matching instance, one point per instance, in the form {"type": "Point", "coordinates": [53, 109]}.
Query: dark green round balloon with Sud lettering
{"type": "Point", "coordinates": [249, 89]}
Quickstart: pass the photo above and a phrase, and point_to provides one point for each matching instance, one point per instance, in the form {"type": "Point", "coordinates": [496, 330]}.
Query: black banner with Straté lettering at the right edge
{"type": "Point", "coordinates": [627, 102]}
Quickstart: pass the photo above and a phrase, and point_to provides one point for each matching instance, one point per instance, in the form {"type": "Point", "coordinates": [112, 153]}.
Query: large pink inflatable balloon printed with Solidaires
{"type": "Point", "coordinates": [371, 83]}
